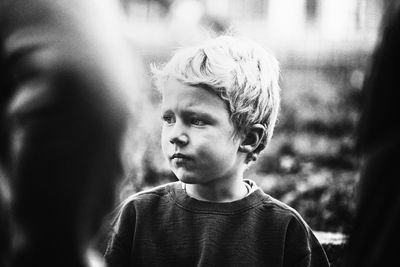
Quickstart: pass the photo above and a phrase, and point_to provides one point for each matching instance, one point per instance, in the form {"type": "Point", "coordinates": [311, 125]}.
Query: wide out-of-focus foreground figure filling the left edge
{"type": "Point", "coordinates": [66, 69]}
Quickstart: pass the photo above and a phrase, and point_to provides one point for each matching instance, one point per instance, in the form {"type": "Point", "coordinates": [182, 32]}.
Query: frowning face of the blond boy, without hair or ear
{"type": "Point", "coordinates": [197, 135]}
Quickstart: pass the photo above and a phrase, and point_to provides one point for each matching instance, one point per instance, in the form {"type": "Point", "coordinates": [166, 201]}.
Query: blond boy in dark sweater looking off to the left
{"type": "Point", "coordinates": [219, 106]}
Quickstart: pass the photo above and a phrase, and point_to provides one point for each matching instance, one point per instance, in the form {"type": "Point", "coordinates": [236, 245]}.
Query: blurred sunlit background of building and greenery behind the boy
{"type": "Point", "coordinates": [324, 47]}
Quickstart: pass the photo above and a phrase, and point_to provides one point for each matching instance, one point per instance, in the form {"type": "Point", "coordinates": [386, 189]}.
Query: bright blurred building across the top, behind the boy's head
{"type": "Point", "coordinates": [293, 29]}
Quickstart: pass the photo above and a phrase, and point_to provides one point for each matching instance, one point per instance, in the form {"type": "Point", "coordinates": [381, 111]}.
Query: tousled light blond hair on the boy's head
{"type": "Point", "coordinates": [243, 73]}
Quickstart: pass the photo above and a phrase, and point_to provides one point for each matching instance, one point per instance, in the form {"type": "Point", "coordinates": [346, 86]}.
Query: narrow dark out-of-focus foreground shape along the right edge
{"type": "Point", "coordinates": [376, 234]}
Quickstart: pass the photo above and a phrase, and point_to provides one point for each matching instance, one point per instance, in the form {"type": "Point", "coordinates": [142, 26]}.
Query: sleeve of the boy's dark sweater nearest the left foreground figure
{"type": "Point", "coordinates": [119, 246]}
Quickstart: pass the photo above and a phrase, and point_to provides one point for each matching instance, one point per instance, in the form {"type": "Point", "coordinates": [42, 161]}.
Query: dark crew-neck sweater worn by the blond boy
{"type": "Point", "coordinates": [166, 227]}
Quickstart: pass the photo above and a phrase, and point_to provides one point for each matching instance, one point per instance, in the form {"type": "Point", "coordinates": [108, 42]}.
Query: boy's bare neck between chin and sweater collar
{"type": "Point", "coordinates": [218, 191]}
